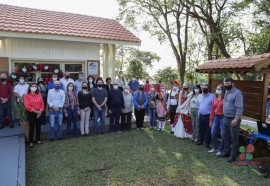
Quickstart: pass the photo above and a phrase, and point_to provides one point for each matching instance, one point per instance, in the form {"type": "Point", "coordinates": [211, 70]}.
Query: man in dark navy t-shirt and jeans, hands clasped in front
{"type": "Point", "coordinates": [99, 99]}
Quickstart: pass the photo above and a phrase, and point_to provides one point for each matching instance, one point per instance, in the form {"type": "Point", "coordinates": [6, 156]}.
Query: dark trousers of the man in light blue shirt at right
{"type": "Point", "coordinates": [204, 129]}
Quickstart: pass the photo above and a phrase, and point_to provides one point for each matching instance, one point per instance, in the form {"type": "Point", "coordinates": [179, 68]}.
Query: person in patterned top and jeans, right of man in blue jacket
{"type": "Point", "coordinates": [152, 106]}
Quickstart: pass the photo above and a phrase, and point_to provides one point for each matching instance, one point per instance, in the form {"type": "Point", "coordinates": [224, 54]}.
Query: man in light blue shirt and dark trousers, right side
{"type": "Point", "coordinates": [204, 111]}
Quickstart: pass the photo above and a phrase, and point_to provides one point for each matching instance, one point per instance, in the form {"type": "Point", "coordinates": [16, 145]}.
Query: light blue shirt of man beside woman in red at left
{"type": "Point", "coordinates": [56, 98]}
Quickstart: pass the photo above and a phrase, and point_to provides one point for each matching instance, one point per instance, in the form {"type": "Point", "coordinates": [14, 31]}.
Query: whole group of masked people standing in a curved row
{"type": "Point", "coordinates": [196, 114]}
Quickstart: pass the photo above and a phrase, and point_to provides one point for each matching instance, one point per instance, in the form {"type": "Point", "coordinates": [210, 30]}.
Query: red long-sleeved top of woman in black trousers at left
{"type": "Point", "coordinates": [33, 102]}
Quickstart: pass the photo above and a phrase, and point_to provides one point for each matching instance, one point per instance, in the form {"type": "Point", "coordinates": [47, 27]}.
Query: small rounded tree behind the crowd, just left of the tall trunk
{"type": "Point", "coordinates": [167, 75]}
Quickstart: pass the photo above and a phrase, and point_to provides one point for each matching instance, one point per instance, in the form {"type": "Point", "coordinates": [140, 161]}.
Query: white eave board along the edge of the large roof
{"type": "Point", "coordinates": [66, 38]}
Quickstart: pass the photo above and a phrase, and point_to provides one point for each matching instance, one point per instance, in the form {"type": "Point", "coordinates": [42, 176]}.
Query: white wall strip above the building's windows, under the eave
{"type": "Point", "coordinates": [21, 48]}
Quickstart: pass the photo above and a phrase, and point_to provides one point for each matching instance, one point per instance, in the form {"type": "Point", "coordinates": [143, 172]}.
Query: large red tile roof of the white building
{"type": "Point", "coordinates": [28, 20]}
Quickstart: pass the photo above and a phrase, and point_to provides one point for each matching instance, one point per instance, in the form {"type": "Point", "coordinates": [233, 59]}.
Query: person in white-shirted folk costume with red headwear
{"type": "Point", "coordinates": [172, 102]}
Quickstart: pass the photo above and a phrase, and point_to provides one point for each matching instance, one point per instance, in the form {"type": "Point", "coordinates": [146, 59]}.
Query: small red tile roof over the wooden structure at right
{"type": "Point", "coordinates": [249, 63]}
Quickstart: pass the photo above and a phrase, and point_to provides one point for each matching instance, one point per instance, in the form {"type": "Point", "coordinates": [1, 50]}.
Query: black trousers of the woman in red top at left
{"type": "Point", "coordinates": [34, 122]}
